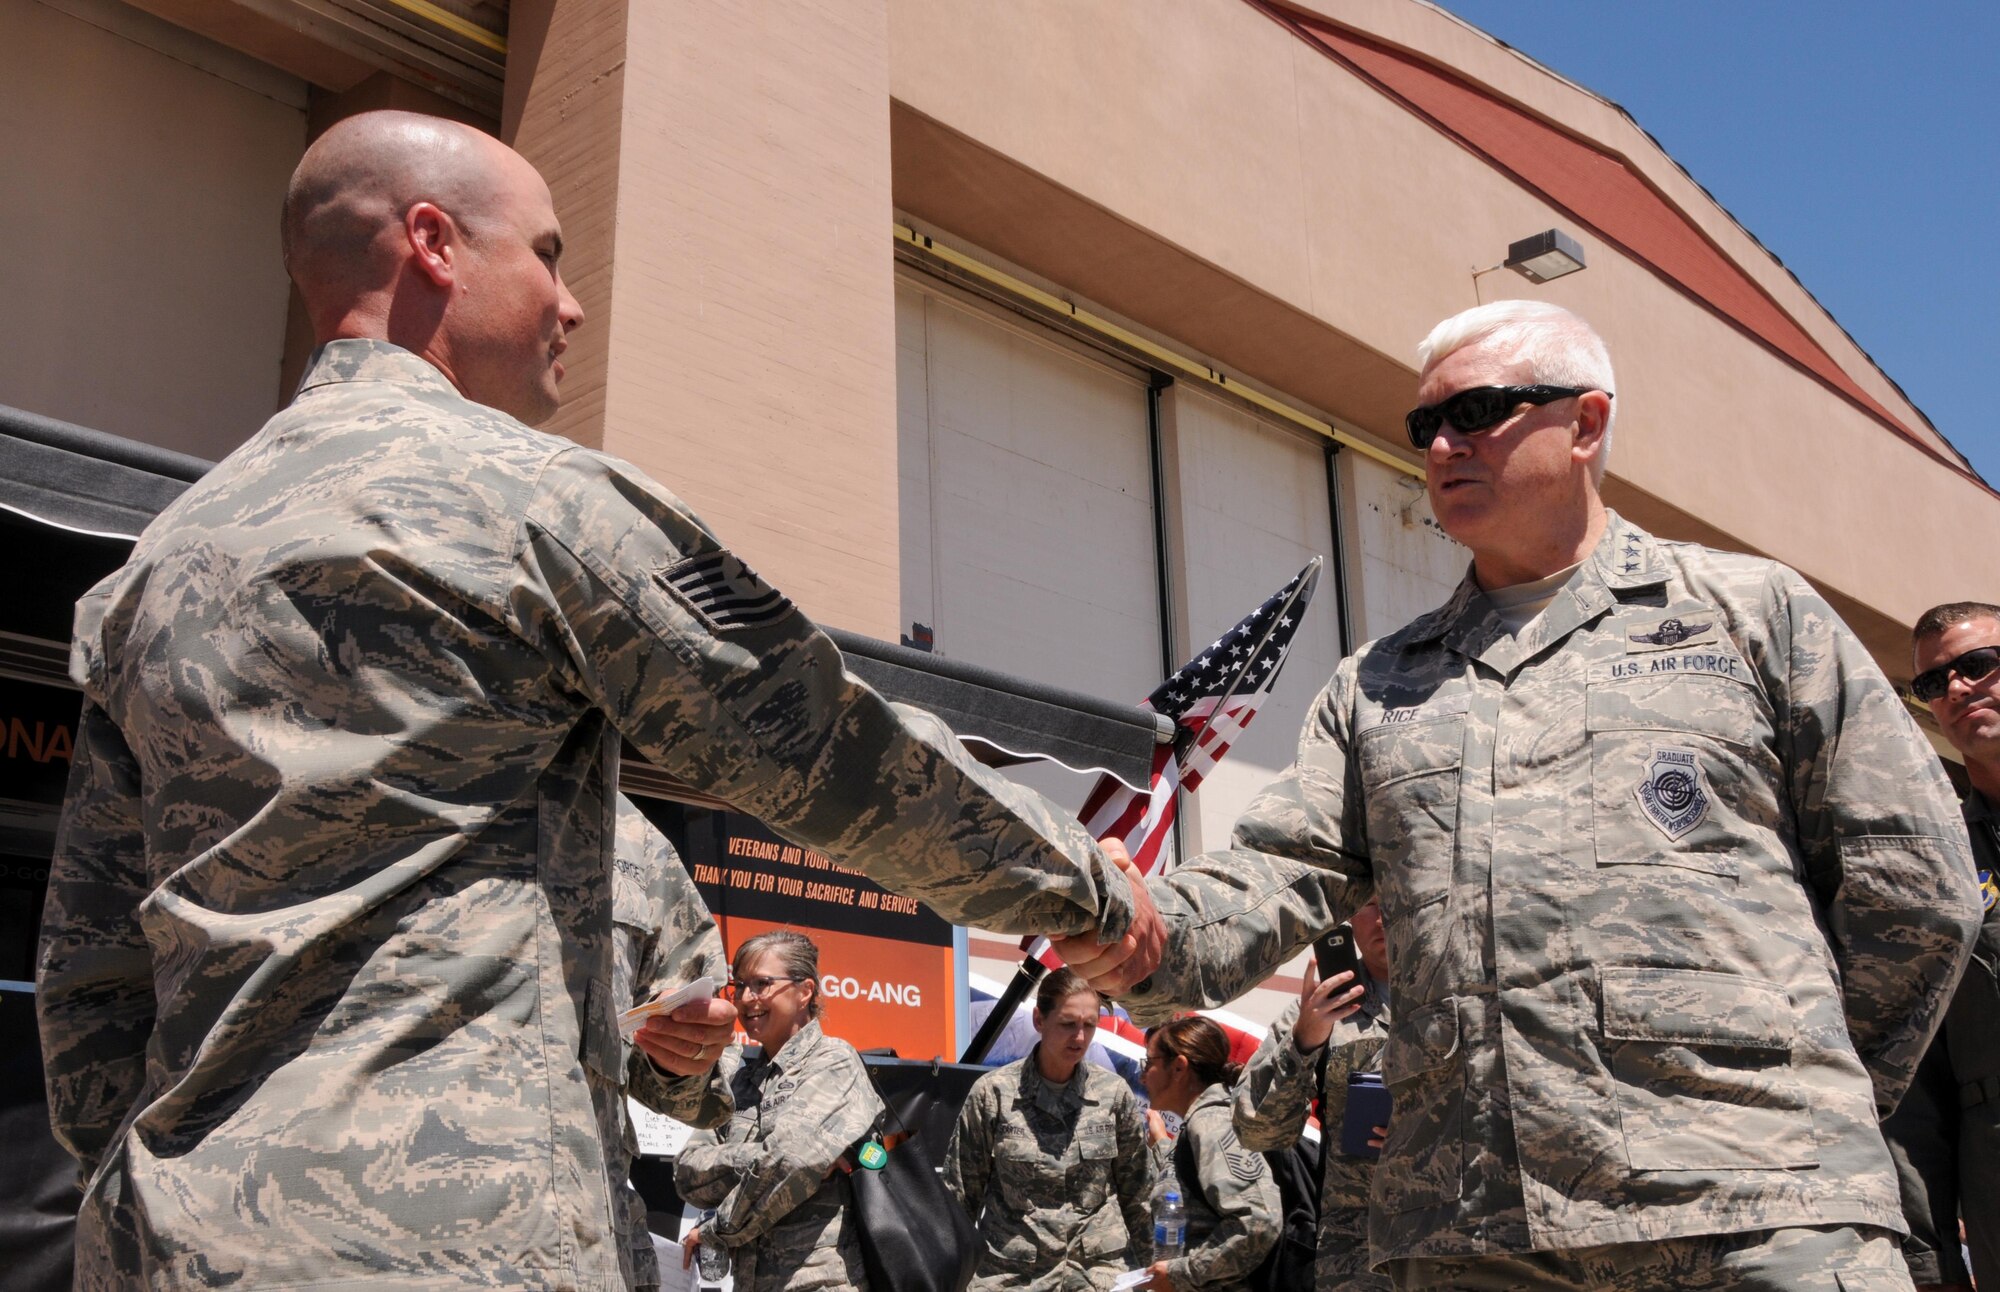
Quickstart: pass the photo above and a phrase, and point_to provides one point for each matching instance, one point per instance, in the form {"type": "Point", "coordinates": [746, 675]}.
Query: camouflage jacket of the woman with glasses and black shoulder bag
{"type": "Point", "coordinates": [769, 1173]}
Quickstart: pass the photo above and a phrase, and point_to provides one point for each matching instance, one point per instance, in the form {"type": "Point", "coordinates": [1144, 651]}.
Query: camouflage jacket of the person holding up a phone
{"type": "Point", "coordinates": [1275, 1099]}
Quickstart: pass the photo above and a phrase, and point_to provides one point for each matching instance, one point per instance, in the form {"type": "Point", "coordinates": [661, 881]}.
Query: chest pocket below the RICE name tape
{"type": "Point", "coordinates": [1411, 785]}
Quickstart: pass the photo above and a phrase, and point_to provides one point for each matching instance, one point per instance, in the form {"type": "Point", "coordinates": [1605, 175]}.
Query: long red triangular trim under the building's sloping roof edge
{"type": "Point", "coordinates": [1597, 189]}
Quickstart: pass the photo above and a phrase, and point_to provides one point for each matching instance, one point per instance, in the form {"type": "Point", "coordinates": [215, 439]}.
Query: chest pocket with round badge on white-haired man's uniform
{"type": "Point", "coordinates": [1681, 773]}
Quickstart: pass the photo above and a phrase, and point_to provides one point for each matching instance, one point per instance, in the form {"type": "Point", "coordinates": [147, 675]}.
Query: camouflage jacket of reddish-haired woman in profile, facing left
{"type": "Point", "coordinates": [1233, 1207]}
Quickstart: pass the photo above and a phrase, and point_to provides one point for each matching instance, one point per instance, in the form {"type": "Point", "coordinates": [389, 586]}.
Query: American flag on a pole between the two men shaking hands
{"type": "Point", "coordinates": [1211, 701]}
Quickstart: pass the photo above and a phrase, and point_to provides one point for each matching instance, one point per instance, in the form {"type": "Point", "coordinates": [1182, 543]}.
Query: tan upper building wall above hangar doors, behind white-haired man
{"type": "Point", "coordinates": [1201, 171]}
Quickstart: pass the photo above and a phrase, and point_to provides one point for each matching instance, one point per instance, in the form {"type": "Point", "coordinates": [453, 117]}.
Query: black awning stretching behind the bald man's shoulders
{"type": "Point", "coordinates": [71, 501]}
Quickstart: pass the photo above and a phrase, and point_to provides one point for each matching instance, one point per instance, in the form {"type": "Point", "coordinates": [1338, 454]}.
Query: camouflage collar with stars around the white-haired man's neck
{"type": "Point", "coordinates": [1627, 559]}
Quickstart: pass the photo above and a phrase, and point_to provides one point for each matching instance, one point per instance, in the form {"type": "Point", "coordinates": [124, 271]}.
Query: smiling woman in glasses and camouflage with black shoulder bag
{"type": "Point", "coordinates": [801, 1101]}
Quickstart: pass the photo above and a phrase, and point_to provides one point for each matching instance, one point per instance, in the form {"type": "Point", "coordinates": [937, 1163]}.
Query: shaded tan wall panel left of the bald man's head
{"type": "Point", "coordinates": [143, 175]}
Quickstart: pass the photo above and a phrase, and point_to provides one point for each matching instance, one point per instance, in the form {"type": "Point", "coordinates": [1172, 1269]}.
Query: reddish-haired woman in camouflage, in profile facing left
{"type": "Point", "coordinates": [1231, 1199]}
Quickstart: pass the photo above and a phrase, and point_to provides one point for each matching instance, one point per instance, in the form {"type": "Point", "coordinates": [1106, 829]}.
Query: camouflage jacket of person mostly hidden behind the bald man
{"type": "Point", "coordinates": [665, 939]}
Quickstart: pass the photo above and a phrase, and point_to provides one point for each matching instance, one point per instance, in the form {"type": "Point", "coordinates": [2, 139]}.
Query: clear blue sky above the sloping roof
{"type": "Point", "coordinates": [1855, 139]}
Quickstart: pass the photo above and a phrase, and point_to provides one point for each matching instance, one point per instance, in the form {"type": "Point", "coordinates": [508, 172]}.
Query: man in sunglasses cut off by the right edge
{"type": "Point", "coordinates": [1947, 1133]}
